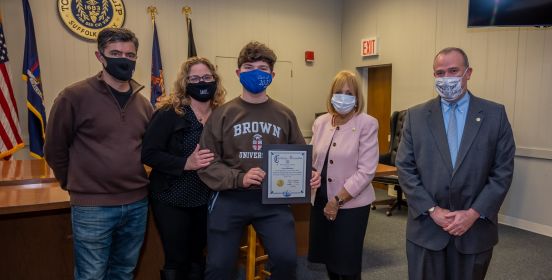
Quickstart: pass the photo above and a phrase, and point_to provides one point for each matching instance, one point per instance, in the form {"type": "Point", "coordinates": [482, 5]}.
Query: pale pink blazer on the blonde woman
{"type": "Point", "coordinates": [353, 156]}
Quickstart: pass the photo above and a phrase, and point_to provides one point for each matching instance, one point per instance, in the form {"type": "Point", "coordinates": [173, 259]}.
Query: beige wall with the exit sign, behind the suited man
{"type": "Point", "coordinates": [512, 66]}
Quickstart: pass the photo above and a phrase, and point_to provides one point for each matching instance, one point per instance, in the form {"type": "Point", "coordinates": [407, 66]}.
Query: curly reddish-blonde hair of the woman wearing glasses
{"type": "Point", "coordinates": [179, 97]}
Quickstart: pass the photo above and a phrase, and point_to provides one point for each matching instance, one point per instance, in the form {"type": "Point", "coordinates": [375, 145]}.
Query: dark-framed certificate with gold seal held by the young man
{"type": "Point", "coordinates": [288, 172]}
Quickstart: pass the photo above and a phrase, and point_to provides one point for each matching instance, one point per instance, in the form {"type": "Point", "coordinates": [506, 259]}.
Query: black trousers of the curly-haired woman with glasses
{"type": "Point", "coordinates": [183, 232]}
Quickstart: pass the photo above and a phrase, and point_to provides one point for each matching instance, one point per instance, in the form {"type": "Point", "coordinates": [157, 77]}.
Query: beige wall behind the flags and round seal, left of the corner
{"type": "Point", "coordinates": [221, 29]}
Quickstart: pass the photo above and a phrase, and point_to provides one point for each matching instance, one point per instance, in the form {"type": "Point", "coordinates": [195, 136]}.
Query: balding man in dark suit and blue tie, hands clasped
{"type": "Point", "coordinates": [455, 163]}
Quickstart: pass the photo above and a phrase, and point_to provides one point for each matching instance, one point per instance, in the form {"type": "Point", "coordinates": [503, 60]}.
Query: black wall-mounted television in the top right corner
{"type": "Point", "coordinates": [482, 13]}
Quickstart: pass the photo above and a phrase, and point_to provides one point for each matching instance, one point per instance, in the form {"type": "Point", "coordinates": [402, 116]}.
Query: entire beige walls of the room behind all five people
{"type": "Point", "coordinates": [512, 66]}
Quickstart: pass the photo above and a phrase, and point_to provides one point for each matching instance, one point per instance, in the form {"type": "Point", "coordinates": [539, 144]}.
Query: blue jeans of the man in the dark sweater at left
{"type": "Point", "coordinates": [107, 239]}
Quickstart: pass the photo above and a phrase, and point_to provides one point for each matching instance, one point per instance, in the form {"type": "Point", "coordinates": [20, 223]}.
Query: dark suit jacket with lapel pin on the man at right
{"type": "Point", "coordinates": [483, 173]}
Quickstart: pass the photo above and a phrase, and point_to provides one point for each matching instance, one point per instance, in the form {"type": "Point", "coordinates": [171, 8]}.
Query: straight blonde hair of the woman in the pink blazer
{"type": "Point", "coordinates": [341, 79]}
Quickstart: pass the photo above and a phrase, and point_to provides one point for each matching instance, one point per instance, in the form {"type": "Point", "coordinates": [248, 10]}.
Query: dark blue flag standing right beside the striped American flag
{"type": "Point", "coordinates": [35, 98]}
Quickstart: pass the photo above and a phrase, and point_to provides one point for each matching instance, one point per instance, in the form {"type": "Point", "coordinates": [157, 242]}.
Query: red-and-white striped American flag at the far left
{"type": "Point", "coordinates": [10, 131]}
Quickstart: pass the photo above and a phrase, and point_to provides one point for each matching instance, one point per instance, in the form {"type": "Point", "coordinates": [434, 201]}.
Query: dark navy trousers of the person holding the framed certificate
{"type": "Point", "coordinates": [274, 224]}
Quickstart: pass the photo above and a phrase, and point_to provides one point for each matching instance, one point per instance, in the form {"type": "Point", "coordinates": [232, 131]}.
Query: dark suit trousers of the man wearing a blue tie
{"type": "Point", "coordinates": [446, 264]}
